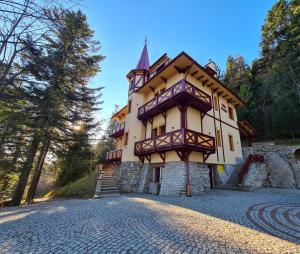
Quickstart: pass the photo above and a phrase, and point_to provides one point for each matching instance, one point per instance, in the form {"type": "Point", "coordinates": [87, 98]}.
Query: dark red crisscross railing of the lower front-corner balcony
{"type": "Point", "coordinates": [182, 139]}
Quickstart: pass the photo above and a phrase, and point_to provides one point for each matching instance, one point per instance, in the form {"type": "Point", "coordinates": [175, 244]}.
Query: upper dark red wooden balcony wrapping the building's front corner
{"type": "Point", "coordinates": [182, 92]}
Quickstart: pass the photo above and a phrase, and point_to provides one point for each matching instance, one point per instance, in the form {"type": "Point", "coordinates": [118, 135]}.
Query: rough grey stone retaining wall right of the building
{"type": "Point", "coordinates": [283, 168]}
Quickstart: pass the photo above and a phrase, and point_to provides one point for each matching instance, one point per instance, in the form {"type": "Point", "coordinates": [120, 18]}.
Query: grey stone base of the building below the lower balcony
{"type": "Point", "coordinates": [136, 177]}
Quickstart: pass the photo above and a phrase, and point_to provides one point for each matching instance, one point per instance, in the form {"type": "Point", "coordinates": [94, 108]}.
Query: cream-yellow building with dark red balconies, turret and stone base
{"type": "Point", "coordinates": [178, 130]}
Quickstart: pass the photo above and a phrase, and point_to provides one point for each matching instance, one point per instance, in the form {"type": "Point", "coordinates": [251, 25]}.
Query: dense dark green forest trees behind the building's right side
{"type": "Point", "coordinates": [271, 87]}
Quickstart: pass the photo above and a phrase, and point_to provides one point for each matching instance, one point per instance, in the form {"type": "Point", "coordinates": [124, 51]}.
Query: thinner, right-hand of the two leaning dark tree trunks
{"type": "Point", "coordinates": [37, 172]}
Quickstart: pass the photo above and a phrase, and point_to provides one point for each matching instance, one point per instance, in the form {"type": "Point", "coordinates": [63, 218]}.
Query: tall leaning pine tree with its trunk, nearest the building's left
{"type": "Point", "coordinates": [59, 94]}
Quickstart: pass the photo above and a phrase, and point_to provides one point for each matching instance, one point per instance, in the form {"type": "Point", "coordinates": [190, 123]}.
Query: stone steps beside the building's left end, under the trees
{"type": "Point", "coordinates": [107, 186]}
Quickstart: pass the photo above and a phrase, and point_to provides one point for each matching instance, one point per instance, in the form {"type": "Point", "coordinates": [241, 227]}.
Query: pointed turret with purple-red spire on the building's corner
{"type": "Point", "coordinates": [138, 76]}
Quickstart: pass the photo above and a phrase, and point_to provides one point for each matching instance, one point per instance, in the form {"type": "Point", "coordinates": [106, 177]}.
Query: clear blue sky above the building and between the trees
{"type": "Point", "coordinates": [204, 29]}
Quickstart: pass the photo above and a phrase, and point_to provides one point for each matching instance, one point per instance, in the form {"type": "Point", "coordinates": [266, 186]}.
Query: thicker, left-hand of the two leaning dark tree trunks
{"type": "Point", "coordinates": [25, 171]}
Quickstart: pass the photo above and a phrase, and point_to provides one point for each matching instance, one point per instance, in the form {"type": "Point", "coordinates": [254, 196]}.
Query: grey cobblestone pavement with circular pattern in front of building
{"type": "Point", "coordinates": [217, 222]}
